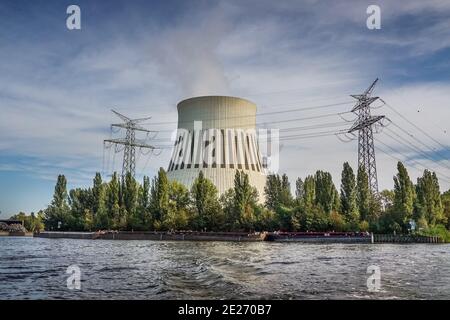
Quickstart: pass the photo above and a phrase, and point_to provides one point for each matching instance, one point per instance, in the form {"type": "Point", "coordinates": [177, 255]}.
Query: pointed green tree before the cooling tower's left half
{"type": "Point", "coordinates": [208, 212]}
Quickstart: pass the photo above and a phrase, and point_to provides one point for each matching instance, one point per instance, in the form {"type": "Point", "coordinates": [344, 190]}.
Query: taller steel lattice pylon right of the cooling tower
{"type": "Point", "coordinates": [364, 126]}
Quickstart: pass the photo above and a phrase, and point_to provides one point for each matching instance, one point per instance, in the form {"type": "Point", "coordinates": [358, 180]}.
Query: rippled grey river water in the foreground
{"type": "Point", "coordinates": [35, 268]}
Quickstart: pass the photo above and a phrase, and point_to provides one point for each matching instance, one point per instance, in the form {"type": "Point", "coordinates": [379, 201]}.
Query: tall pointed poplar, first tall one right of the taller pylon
{"type": "Point", "coordinates": [404, 196]}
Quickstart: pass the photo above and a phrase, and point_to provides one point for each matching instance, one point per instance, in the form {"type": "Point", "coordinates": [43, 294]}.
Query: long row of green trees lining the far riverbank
{"type": "Point", "coordinates": [123, 204]}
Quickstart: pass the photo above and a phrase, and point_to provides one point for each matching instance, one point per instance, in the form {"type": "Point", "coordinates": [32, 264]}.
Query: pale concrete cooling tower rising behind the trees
{"type": "Point", "coordinates": [217, 135]}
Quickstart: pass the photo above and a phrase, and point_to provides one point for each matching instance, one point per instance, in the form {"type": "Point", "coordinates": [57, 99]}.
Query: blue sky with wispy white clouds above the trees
{"type": "Point", "coordinates": [57, 86]}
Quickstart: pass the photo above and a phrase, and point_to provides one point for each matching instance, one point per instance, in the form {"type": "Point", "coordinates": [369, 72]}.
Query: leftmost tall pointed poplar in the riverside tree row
{"type": "Point", "coordinates": [57, 215]}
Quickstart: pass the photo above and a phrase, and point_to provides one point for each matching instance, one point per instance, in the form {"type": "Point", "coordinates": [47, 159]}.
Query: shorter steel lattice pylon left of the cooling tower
{"type": "Point", "coordinates": [130, 142]}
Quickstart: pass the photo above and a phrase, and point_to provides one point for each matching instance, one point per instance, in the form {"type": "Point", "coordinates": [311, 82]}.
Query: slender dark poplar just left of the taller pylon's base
{"type": "Point", "coordinates": [348, 194]}
